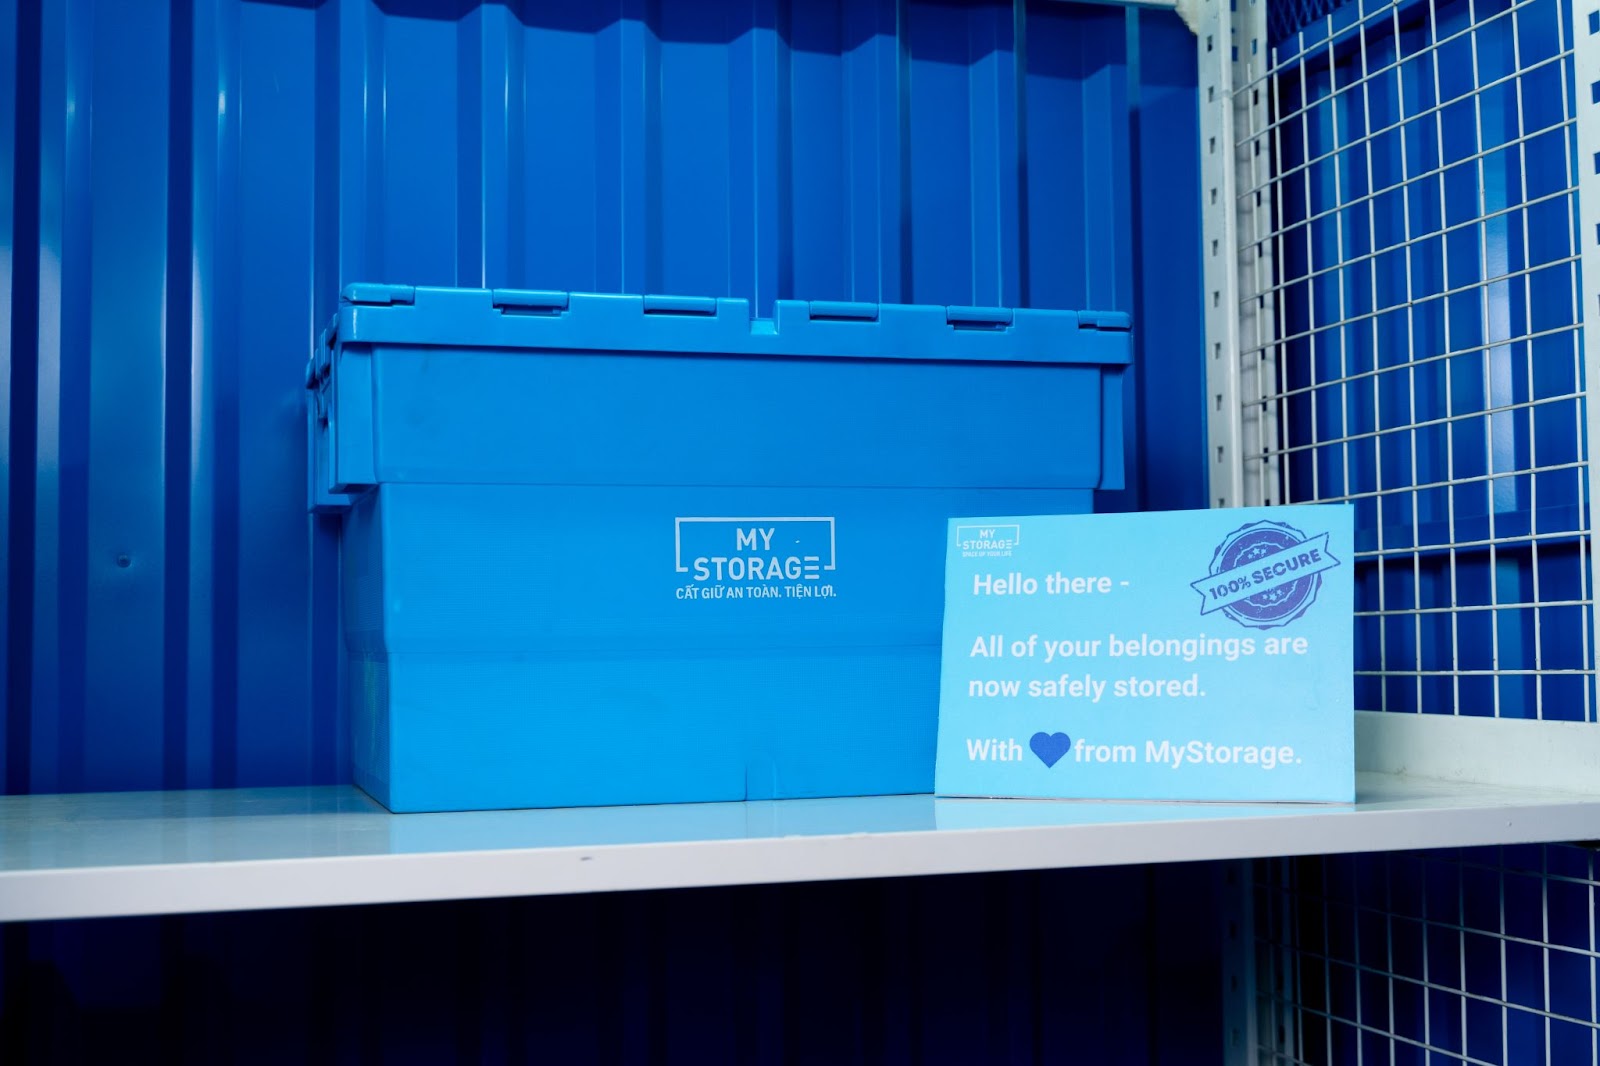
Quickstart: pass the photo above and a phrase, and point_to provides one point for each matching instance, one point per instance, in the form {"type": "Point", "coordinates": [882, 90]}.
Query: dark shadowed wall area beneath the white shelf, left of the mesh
{"type": "Point", "coordinates": [1074, 968]}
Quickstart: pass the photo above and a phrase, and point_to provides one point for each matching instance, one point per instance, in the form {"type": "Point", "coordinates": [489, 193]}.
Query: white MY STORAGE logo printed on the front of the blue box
{"type": "Point", "coordinates": [761, 558]}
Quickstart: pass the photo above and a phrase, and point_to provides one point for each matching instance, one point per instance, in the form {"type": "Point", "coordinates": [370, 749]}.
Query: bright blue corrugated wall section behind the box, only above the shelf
{"type": "Point", "coordinates": [193, 183]}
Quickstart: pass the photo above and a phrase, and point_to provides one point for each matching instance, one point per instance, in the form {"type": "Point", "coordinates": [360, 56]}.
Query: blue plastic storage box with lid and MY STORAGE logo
{"type": "Point", "coordinates": [633, 550]}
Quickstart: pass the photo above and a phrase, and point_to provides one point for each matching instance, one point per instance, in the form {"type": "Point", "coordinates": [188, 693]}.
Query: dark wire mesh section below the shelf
{"type": "Point", "coordinates": [1482, 956]}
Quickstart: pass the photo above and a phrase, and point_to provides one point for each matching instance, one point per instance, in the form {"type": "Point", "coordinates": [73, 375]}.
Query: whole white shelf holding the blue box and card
{"type": "Point", "coordinates": [103, 856]}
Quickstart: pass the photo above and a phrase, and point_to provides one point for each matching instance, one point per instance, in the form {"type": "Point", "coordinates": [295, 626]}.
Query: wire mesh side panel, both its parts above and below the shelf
{"type": "Point", "coordinates": [1418, 348]}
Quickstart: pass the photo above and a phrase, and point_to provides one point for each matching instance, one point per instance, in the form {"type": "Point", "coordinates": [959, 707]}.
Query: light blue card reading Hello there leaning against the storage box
{"type": "Point", "coordinates": [1188, 655]}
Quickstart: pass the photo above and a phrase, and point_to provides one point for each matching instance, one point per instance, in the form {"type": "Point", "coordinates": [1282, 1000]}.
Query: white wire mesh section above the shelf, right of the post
{"type": "Point", "coordinates": [1412, 340]}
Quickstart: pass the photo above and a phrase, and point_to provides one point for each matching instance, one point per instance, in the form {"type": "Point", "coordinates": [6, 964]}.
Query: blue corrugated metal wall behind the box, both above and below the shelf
{"type": "Point", "coordinates": [186, 190]}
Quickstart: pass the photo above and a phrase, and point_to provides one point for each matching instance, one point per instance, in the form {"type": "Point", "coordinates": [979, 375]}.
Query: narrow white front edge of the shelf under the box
{"type": "Point", "coordinates": [378, 880]}
